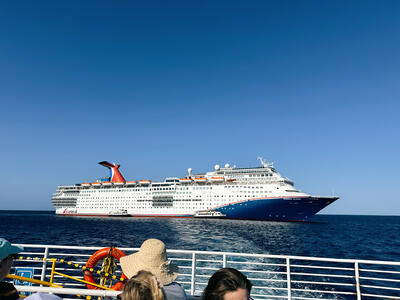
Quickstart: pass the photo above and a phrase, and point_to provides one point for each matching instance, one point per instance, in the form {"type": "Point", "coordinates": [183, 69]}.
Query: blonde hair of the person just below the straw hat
{"type": "Point", "coordinates": [142, 286]}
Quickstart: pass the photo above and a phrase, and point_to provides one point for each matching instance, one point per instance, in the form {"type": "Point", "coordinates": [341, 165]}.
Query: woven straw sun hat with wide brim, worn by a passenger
{"type": "Point", "coordinates": [152, 257]}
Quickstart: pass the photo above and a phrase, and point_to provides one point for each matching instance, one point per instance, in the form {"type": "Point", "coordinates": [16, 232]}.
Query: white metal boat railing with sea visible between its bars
{"type": "Point", "coordinates": [272, 276]}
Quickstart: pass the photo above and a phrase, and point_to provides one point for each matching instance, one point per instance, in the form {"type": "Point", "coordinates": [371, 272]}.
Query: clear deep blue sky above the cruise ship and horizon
{"type": "Point", "coordinates": [162, 86]}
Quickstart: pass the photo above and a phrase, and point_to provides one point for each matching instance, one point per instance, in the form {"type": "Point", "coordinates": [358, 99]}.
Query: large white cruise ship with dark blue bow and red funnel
{"type": "Point", "coordinates": [254, 193]}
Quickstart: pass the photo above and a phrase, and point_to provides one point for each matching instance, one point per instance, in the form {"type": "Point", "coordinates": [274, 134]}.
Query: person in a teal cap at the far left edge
{"type": "Point", "coordinates": [7, 254]}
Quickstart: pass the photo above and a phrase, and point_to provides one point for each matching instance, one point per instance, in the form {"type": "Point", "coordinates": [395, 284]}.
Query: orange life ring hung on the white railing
{"type": "Point", "coordinates": [92, 261]}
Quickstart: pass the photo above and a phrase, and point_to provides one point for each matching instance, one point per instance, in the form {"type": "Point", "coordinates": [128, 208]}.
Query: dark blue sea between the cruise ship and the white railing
{"type": "Point", "coordinates": [334, 236]}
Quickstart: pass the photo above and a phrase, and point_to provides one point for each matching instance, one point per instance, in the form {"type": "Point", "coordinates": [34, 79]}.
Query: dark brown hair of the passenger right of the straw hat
{"type": "Point", "coordinates": [223, 281]}
